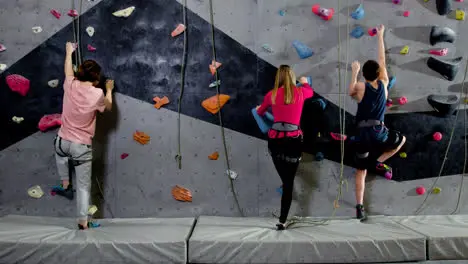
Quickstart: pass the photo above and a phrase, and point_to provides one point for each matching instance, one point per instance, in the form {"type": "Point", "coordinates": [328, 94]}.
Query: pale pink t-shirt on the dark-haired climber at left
{"type": "Point", "coordinates": [80, 103]}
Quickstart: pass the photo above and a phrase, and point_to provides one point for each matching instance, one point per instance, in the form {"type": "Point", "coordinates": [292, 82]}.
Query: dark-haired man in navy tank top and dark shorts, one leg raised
{"type": "Point", "coordinates": [375, 143]}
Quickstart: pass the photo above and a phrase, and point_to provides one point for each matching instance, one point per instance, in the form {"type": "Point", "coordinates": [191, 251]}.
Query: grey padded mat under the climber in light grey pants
{"type": "Point", "coordinates": [26, 239]}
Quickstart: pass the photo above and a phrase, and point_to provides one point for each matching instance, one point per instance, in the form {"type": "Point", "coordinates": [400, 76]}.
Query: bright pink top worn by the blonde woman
{"type": "Point", "coordinates": [290, 113]}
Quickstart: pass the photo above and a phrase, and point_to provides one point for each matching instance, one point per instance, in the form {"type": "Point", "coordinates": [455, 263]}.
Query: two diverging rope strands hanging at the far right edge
{"type": "Point", "coordinates": [452, 132]}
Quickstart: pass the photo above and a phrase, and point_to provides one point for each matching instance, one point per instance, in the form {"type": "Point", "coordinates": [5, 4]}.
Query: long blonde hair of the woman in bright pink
{"type": "Point", "coordinates": [285, 78]}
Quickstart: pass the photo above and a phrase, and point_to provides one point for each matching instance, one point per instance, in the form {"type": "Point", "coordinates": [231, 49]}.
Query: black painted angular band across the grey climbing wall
{"type": "Point", "coordinates": [145, 61]}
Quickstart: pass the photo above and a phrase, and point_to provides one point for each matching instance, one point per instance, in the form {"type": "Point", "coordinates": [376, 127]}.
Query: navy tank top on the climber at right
{"type": "Point", "coordinates": [372, 105]}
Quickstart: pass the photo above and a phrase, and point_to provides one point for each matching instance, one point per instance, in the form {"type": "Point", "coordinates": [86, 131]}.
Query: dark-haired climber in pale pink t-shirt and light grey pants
{"type": "Point", "coordinates": [81, 100]}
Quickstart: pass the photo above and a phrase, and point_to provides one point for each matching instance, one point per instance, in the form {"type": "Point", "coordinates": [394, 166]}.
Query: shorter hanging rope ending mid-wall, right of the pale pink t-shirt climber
{"type": "Point", "coordinates": [182, 86]}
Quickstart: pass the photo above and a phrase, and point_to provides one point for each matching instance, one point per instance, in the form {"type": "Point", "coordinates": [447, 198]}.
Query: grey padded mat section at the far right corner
{"type": "Point", "coordinates": [447, 235]}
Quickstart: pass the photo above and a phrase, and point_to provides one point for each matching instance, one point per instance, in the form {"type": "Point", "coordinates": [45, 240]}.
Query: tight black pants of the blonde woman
{"type": "Point", "coordinates": [286, 153]}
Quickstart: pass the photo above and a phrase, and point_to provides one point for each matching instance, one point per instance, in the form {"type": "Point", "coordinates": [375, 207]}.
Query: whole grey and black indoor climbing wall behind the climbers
{"type": "Point", "coordinates": [145, 61]}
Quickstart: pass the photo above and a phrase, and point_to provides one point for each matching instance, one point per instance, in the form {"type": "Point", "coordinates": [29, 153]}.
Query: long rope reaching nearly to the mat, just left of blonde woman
{"type": "Point", "coordinates": [226, 154]}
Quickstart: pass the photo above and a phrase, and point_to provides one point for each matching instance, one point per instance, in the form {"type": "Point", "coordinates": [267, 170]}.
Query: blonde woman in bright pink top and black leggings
{"type": "Point", "coordinates": [285, 136]}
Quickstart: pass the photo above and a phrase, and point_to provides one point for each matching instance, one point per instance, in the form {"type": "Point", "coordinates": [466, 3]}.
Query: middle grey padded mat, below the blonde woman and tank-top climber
{"type": "Point", "coordinates": [254, 240]}
